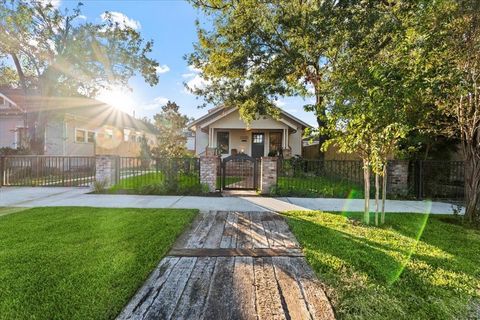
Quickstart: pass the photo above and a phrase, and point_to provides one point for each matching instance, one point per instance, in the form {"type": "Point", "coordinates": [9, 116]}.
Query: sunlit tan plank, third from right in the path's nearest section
{"type": "Point", "coordinates": [268, 299]}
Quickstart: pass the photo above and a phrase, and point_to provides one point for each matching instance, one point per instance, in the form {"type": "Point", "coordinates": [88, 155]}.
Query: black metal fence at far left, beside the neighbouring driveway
{"type": "Point", "coordinates": [48, 171]}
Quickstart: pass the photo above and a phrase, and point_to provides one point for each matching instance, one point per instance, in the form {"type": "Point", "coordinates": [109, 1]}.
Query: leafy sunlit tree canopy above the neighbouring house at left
{"type": "Point", "coordinates": [56, 52]}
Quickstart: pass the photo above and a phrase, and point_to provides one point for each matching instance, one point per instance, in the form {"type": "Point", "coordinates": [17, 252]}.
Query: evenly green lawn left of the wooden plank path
{"type": "Point", "coordinates": [78, 262]}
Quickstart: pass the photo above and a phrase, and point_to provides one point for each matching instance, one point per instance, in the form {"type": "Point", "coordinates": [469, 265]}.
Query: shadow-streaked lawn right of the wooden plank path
{"type": "Point", "coordinates": [385, 273]}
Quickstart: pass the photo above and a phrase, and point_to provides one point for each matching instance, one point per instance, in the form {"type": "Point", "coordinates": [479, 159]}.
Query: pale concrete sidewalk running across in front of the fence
{"type": "Point", "coordinates": [57, 196]}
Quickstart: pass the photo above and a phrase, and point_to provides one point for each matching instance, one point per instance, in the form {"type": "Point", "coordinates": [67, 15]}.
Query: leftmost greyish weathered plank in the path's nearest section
{"type": "Point", "coordinates": [142, 300]}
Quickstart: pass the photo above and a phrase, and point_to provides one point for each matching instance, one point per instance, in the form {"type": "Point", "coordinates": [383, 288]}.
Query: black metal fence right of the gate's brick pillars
{"type": "Point", "coordinates": [337, 178]}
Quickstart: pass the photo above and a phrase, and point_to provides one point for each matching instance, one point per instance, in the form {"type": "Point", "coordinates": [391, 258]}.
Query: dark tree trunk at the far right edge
{"type": "Point", "coordinates": [472, 183]}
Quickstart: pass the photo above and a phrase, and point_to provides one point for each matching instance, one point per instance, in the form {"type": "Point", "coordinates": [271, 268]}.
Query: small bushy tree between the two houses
{"type": "Point", "coordinates": [171, 125]}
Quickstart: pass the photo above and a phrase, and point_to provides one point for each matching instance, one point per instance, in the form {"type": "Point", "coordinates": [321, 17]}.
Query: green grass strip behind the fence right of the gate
{"type": "Point", "coordinates": [317, 187]}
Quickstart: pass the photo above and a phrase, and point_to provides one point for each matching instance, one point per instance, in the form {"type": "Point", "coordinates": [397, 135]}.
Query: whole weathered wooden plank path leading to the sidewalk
{"type": "Point", "coordinates": [232, 265]}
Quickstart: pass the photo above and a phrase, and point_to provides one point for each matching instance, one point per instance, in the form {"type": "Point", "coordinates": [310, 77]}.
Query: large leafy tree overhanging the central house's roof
{"type": "Point", "coordinates": [258, 51]}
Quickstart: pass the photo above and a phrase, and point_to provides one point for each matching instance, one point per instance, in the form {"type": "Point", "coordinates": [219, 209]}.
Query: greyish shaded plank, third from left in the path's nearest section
{"type": "Point", "coordinates": [192, 301]}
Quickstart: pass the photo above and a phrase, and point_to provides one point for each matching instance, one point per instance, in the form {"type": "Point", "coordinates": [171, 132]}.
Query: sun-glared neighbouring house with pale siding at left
{"type": "Point", "coordinates": [73, 126]}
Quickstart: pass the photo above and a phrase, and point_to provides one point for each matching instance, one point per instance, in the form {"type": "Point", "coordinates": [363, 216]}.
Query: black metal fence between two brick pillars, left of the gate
{"type": "Point", "coordinates": [159, 175]}
